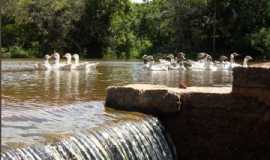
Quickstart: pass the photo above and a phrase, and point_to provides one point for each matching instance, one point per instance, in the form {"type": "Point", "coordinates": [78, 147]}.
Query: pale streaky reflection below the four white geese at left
{"type": "Point", "coordinates": [61, 85]}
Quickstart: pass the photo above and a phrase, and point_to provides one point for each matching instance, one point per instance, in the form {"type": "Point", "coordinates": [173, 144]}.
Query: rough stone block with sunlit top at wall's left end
{"type": "Point", "coordinates": [145, 98]}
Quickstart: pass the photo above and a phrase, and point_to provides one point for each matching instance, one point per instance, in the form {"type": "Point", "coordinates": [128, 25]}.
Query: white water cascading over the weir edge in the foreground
{"type": "Point", "coordinates": [125, 140]}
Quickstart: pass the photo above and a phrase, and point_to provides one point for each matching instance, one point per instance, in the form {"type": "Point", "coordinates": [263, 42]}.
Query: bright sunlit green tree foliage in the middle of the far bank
{"type": "Point", "coordinates": [125, 42]}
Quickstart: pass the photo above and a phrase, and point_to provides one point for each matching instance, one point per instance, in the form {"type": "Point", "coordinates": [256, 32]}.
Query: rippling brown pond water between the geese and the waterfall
{"type": "Point", "coordinates": [39, 106]}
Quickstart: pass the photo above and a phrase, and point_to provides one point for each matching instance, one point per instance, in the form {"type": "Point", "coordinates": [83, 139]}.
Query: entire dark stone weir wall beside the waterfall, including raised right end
{"type": "Point", "coordinates": [207, 122]}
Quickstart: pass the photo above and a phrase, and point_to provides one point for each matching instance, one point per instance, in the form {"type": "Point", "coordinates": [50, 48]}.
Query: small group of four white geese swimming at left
{"type": "Point", "coordinates": [68, 65]}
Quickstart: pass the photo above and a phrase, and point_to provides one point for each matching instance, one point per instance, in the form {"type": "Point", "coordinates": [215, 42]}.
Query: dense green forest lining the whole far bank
{"type": "Point", "coordinates": [123, 29]}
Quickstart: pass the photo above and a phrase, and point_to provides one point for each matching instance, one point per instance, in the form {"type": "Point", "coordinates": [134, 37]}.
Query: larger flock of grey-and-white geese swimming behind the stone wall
{"type": "Point", "coordinates": [204, 62]}
